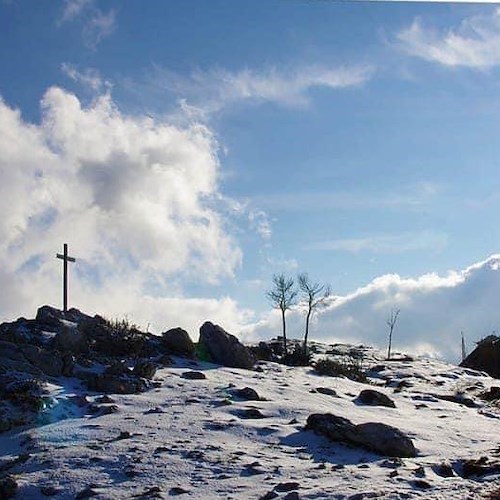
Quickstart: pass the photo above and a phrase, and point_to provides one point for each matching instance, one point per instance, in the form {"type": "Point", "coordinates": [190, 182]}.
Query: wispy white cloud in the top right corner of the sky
{"type": "Point", "coordinates": [475, 43]}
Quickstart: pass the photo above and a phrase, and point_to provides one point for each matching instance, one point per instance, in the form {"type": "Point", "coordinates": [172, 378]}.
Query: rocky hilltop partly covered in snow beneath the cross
{"type": "Point", "coordinates": [124, 414]}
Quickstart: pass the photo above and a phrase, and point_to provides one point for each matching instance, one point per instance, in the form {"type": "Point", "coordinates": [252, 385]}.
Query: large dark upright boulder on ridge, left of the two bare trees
{"type": "Point", "coordinates": [225, 348]}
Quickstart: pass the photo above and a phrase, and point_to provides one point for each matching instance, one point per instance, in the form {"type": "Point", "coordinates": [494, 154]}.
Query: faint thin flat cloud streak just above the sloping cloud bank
{"type": "Point", "coordinates": [386, 243]}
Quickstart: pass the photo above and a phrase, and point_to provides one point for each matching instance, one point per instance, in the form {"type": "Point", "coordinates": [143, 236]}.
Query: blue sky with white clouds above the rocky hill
{"type": "Point", "coordinates": [187, 151]}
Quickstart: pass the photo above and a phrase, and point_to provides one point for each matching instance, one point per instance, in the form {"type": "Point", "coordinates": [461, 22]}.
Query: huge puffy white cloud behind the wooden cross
{"type": "Point", "coordinates": [136, 199]}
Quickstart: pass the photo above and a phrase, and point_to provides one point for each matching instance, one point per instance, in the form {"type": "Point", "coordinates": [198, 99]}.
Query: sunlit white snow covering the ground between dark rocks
{"type": "Point", "coordinates": [191, 438]}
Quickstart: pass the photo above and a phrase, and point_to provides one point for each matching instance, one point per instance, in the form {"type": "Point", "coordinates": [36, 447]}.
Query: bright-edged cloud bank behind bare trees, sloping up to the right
{"type": "Point", "coordinates": [434, 310]}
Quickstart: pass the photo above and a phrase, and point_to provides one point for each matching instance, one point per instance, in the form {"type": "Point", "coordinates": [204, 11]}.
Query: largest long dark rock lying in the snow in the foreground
{"type": "Point", "coordinates": [380, 438]}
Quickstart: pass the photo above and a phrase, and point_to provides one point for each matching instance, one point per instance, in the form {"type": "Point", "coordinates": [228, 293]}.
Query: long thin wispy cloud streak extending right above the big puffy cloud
{"type": "Point", "coordinates": [211, 91]}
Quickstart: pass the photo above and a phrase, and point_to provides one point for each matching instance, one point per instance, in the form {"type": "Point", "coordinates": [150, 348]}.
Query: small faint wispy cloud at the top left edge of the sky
{"type": "Point", "coordinates": [97, 24]}
